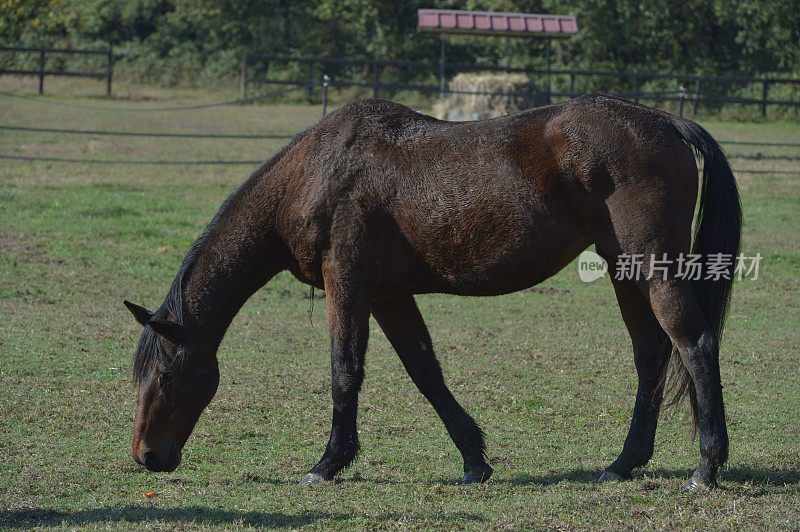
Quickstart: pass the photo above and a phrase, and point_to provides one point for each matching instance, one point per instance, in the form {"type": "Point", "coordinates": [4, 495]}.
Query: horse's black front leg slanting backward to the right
{"type": "Point", "coordinates": [403, 325]}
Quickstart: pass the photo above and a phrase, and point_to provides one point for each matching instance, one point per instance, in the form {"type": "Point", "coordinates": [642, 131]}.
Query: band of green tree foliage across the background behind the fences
{"type": "Point", "coordinates": [178, 40]}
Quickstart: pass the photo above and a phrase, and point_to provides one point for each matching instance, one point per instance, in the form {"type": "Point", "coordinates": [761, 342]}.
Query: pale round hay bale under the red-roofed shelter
{"type": "Point", "coordinates": [517, 92]}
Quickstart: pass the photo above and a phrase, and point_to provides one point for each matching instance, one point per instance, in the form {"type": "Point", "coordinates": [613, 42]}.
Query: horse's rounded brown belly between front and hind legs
{"type": "Point", "coordinates": [477, 255]}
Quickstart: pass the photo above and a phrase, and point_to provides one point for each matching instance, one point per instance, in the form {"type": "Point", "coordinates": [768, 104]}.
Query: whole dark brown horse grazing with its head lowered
{"type": "Point", "coordinates": [377, 203]}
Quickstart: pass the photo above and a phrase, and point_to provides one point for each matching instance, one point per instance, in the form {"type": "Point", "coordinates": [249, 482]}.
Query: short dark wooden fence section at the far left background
{"type": "Point", "coordinates": [40, 56]}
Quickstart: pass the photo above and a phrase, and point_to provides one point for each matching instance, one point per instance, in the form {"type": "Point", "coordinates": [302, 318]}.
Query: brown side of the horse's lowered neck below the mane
{"type": "Point", "coordinates": [240, 254]}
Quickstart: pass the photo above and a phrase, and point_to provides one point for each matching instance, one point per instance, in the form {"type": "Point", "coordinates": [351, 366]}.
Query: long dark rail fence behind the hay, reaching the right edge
{"type": "Point", "coordinates": [554, 84]}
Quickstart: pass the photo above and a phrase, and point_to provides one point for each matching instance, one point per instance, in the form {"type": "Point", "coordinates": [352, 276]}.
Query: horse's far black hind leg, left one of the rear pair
{"type": "Point", "coordinates": [651, 350]}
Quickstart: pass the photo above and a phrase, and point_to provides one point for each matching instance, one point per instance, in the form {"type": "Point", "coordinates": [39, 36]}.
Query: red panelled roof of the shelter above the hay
{"type": "Point", "coordinates": [497, 24]}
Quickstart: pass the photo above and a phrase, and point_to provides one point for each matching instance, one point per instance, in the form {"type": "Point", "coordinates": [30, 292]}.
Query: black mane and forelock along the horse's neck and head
{"type": "Point", "coordinates": [150, 349]}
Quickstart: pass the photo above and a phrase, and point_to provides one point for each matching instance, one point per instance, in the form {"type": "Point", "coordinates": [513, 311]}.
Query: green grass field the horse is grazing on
{"type": "Point", "coordinates": [547, 372]}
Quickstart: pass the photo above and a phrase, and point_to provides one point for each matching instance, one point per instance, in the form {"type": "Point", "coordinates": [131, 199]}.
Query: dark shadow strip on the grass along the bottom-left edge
{"type": "Point", "coordinates": [186, 516]}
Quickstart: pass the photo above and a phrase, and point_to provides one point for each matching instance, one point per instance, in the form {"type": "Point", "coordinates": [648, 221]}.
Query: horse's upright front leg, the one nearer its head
{"type": "Point", "coordinates": [348, 319]}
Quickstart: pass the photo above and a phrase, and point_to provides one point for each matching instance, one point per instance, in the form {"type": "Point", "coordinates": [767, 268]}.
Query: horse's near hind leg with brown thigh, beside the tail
{"type": "Point", "coordinates": [648, 217]}
